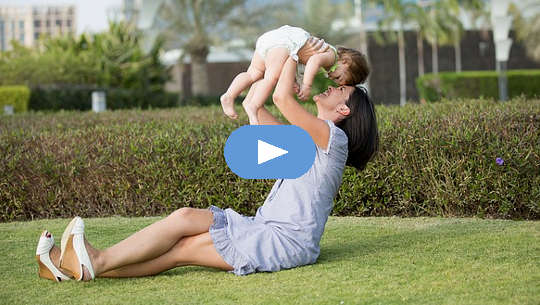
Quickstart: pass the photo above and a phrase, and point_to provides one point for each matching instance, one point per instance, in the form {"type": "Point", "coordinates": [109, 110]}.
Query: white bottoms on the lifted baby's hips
{"type": "Point", "coordinates": [289, 37]}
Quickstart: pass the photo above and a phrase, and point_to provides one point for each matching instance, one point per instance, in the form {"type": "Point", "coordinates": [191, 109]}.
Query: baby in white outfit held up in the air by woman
{"type": "Point", "coordinates": [343, 65]}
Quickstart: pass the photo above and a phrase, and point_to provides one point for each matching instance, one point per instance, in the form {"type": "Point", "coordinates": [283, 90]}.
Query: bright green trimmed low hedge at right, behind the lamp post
{"type": "Point", "coordinates": [476, 84]}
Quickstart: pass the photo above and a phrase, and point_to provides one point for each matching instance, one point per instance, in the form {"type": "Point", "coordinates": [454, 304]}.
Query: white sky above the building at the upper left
{"type": "Point", "coordinates": [91, 14]}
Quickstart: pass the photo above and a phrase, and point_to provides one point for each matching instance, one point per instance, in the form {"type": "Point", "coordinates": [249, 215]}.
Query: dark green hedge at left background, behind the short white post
{"type": "Point", "coordinates": [69, 97]}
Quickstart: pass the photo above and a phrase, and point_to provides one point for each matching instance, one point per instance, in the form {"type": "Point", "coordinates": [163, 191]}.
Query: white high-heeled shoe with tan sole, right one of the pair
{"type": "Point", "coordinates": [74, 254]}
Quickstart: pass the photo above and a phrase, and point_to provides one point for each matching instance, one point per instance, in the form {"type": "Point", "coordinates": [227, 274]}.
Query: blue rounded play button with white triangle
{"type": "Point", "coordinates": [269, 151]}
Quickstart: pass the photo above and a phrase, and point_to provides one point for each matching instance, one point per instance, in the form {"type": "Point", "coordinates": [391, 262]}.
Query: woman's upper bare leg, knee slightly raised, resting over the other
{"type": "Point", "coordinates": [152, 241]}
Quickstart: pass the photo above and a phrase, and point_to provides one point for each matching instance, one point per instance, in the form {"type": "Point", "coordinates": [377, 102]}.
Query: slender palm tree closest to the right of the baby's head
{"type": "Point", "coordinates": [397, 14]}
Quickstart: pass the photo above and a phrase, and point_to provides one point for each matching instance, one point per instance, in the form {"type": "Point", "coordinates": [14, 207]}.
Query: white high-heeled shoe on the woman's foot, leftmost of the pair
{"type": "Point", "coordinates": [47, 269]}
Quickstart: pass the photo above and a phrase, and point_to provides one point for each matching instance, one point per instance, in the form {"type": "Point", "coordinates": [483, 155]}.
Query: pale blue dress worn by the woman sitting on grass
{"type": "Point", "coordinates": [287, 228]}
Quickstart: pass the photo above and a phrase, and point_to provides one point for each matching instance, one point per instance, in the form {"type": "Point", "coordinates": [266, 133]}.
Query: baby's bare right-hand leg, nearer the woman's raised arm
{"type": "Point", "coordinates": [274, 61]}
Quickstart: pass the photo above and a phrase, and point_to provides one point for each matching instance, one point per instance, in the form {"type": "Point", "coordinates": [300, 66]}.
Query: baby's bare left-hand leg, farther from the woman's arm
{"type": "Point", "coordinates": [241, 82]}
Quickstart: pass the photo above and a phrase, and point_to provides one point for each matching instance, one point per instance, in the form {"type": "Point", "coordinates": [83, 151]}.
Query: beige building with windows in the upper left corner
{"type": "Point", "coordinates": [27, 24]}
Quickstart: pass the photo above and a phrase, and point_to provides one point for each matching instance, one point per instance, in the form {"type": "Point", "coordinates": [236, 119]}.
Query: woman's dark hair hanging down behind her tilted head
{"type": "Point", "coordinates": [360, 126]}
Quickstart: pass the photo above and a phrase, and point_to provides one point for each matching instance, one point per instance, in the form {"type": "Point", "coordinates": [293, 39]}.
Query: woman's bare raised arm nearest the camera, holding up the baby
{"type": "Point", "coordinates": [284, 99]}
